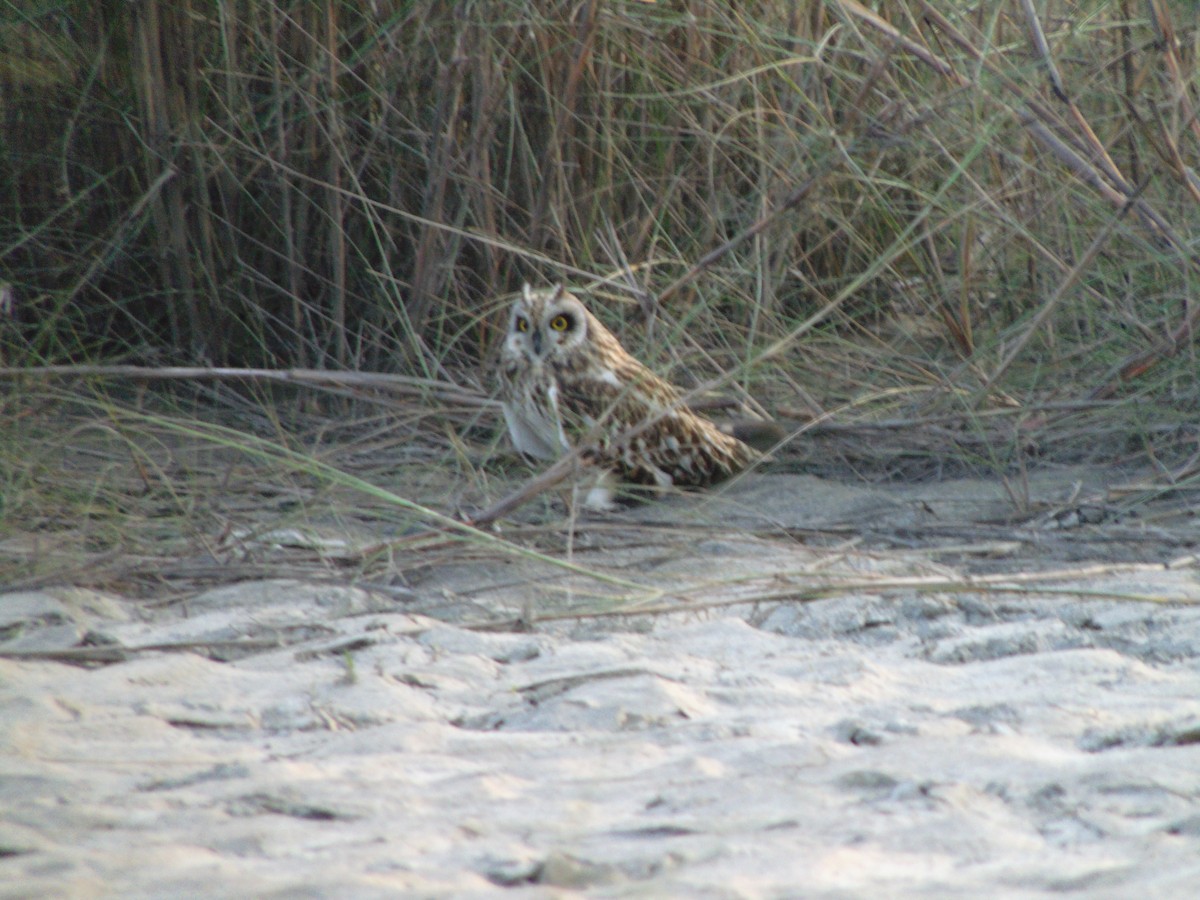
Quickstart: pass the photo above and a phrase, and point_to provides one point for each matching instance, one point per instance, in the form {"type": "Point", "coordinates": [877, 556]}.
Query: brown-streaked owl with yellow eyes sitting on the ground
{"type": "Point", "coordinates": [567, 383]}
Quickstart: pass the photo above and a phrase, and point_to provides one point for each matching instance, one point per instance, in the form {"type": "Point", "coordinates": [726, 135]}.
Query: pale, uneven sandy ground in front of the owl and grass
{"type": "Point", "coordinates": [842, 692]}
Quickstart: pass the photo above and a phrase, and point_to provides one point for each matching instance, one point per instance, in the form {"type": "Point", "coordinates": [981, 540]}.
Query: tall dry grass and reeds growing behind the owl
{"type": "Point", "coordinates": [961, 230]}
